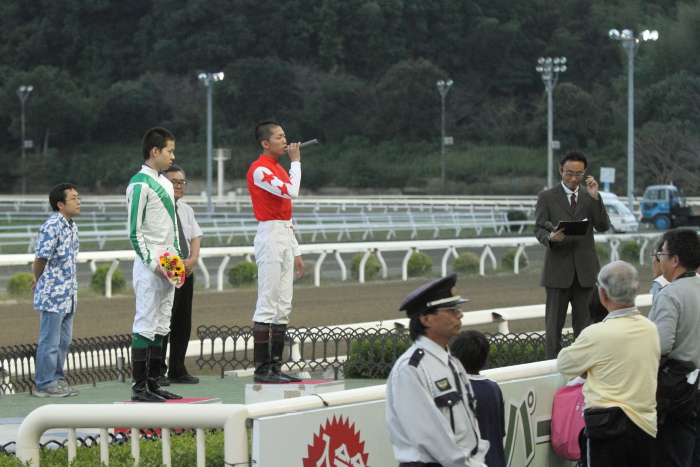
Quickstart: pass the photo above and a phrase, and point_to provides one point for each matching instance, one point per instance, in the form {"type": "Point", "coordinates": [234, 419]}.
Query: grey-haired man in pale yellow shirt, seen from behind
{"type": "Point", "coordinates": [619, 357]}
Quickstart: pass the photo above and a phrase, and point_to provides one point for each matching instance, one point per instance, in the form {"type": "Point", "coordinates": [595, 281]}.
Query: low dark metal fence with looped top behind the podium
{"type": "Point", "coordinates": [331, 352]}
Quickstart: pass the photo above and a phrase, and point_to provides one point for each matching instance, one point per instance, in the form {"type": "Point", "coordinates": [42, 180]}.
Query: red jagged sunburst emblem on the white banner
{"type": "Point", "coordinates": [337, 445]}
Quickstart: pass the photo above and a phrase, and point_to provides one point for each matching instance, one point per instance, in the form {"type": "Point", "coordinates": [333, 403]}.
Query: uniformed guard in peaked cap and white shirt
{"type": "Point", "coordinates": [429, 401]}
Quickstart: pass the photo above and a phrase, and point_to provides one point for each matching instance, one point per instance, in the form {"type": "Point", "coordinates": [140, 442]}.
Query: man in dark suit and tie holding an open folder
{"type": "Point", "coordinates": [571, 262]}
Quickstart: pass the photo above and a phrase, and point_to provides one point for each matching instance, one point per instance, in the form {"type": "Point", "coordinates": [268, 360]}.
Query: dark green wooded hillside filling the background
{"type": "Point", "coordinates": [358, 75]}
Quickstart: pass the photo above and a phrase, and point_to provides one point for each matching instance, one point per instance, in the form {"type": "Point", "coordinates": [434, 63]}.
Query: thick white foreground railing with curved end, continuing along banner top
{"type": "Point", "coordinates": [231, 418]}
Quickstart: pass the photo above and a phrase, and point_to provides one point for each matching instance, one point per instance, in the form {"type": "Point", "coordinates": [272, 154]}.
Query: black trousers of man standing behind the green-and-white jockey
{"type": "Point", "coordinates": [180, 329]}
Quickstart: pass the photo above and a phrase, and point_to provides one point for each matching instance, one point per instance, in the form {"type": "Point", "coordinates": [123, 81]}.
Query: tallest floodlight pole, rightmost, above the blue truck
{"type": "Point", "coordinates": [631, 43]}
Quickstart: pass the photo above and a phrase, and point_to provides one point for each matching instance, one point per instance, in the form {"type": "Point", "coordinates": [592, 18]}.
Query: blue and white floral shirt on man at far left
{"type": "Point", "coordinates": [57, 289]}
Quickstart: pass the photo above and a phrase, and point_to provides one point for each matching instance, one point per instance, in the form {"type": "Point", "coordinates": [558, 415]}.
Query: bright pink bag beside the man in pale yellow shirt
{"type": "Point", "coordinates": [567, 421]}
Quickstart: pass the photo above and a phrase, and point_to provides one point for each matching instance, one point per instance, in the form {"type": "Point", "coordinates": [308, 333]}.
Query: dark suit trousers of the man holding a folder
{"type": "Point", "coordinates": [557, 303]}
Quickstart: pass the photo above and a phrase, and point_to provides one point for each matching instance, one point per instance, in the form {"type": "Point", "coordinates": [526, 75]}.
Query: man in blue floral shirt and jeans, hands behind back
{"type": "Point", "coordinates": [55, 289]}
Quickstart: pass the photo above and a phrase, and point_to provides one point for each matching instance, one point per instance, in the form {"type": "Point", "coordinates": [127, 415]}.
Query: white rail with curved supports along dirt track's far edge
{"type": "Point", "coordinates": [321, 251]}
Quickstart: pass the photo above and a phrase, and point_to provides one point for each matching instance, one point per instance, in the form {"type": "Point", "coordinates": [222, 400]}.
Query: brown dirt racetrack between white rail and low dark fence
{"type": "Point", "coordinates": [332, 304]}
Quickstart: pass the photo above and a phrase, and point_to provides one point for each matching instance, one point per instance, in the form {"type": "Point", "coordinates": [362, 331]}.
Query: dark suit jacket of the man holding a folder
{"type": "Point", "coordinates": [575, 253]}
